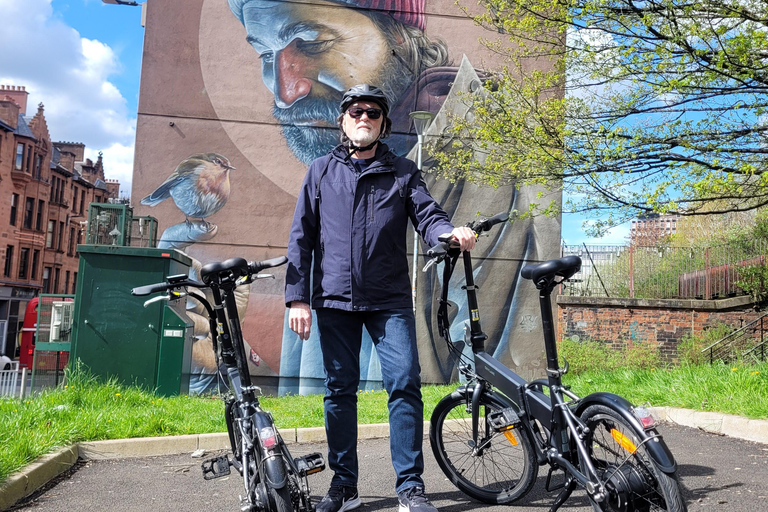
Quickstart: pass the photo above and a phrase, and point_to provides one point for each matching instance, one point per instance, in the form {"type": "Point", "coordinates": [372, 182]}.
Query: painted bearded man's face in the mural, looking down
{"type": "Point", "coordinates": [310, 54]}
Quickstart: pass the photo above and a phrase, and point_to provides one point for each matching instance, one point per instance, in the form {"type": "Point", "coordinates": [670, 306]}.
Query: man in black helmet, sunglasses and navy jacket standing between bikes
{"type": "Point", "coordinates": [349, 232]}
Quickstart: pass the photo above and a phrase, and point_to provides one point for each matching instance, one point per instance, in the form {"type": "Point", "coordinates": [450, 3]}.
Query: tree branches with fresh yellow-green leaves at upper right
{"type": "Point", "coordinates": [632, 107]}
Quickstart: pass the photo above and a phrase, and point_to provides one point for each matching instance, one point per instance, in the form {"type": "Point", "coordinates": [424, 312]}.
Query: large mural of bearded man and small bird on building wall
{"type": "Point", "coordinates": [260, 81]}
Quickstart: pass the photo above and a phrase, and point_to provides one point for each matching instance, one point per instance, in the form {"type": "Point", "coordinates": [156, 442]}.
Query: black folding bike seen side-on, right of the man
{"type": "Point", "coordinates": [491, 435]}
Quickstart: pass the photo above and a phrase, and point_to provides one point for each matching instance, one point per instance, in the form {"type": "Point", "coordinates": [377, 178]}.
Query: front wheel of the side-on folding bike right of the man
{"type": "Point", "coordinates": [501, 470]}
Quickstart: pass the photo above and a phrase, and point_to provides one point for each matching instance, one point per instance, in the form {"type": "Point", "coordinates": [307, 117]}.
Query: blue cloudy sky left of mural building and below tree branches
{"type": "Point", "coordinates": [82, 60]}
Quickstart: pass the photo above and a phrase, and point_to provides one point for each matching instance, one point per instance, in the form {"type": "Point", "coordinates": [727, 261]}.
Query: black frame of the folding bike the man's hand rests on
{"type": "Point", "coordinates": [558, 412]}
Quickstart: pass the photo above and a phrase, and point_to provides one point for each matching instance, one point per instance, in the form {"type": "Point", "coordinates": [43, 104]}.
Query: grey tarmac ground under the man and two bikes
{"type": "Point", "coordinates": [718, 473]}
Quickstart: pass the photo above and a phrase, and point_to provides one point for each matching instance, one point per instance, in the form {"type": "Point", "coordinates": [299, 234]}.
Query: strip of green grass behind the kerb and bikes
{"type": "Point", "coordinates": [88, 410]}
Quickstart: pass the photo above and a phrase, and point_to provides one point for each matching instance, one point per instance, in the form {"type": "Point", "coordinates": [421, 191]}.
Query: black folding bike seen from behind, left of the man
{"type": "Point", "coordinates": [274, 481]}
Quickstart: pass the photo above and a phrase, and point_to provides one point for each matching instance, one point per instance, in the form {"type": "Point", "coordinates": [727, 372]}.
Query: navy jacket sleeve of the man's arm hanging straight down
{"type": "Point", "coordinates": [301, 242]}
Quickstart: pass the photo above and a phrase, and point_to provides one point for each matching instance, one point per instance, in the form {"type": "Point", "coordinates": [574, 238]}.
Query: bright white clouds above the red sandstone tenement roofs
{"type": "Point", "coordinates": [69, 74]}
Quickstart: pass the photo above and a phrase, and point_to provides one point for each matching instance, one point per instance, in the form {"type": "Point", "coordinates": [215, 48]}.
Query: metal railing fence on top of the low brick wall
{"type": "Point", "coordinates": [660, 272]}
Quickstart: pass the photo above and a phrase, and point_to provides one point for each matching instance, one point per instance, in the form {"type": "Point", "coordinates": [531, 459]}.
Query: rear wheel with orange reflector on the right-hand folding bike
{"type": "Point", "coordinates": [631, 477]}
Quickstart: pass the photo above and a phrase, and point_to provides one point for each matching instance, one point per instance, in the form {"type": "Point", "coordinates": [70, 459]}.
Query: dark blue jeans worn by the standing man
{"type": "Point", "coordinates": [394, 334]}
